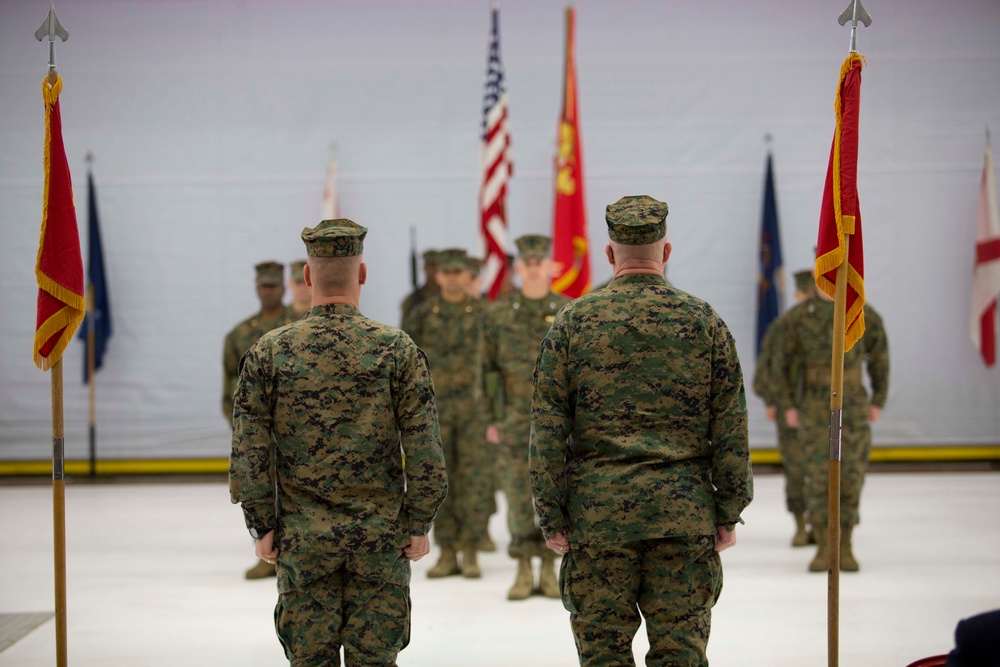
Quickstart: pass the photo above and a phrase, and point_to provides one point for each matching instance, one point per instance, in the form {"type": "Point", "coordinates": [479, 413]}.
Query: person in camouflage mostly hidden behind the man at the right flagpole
{"type": "Point", "coordinates": [788, 444]}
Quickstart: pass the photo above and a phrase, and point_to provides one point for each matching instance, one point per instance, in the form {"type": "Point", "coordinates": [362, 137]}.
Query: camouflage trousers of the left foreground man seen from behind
{"type": "Point", "coordinates": [360, 601]}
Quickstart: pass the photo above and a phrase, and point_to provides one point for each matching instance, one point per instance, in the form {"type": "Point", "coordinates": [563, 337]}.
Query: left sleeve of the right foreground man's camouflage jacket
{"type": "Point", "coordinates": [551, 424]}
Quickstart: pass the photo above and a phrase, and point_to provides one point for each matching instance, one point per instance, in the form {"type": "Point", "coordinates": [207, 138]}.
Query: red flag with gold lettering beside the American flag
{"type": "Point", "coordinates": [569, 234]}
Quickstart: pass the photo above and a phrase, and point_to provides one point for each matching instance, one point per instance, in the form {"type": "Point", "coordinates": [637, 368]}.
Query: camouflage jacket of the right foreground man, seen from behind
{"type": "Point", "coordinates": [639, 422]}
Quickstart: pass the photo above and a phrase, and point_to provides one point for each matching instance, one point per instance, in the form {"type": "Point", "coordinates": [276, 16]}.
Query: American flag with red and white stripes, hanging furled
{"type": "Point", "coordinates": [497, 167]}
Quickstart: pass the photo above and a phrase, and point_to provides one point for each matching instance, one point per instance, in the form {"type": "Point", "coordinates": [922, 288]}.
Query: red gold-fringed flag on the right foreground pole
{"type": "Point", "coordinates": [840, 213]}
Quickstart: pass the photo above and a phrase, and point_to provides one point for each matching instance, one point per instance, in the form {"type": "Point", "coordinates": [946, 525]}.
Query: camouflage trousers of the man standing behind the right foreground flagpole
{"type": "Point", "coordinates": [856, 446]}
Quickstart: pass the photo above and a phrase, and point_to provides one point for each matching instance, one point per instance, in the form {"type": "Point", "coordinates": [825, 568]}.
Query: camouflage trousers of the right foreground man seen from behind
{"type": "Point", "coordinates": [672, 582]}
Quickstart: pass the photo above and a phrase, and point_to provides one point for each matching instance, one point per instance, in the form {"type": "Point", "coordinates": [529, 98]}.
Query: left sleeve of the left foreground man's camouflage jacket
{"type": "Point", "coordinates": [250, 473]}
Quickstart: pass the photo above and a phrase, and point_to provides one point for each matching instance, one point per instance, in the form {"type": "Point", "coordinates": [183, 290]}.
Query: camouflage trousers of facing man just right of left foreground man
{"type": "Point", "coordinates": [461, 520]}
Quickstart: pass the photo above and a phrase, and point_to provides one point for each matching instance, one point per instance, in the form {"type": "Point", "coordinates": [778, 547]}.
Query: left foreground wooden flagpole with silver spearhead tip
{"type": "Point", "coordinates": [52, 28]}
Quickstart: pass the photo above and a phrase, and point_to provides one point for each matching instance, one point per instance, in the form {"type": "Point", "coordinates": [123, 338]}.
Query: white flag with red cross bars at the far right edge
{"type": "Point", "coordinates": [986, 272]}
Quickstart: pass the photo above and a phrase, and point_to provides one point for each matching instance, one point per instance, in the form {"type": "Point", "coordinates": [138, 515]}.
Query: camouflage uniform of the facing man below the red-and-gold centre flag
{"type": "Point", "coordinates": [515, 328]}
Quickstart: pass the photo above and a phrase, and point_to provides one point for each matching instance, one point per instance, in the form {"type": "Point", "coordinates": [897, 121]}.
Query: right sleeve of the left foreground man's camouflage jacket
{"type": "Point", "coordinates": [420, 437]}
